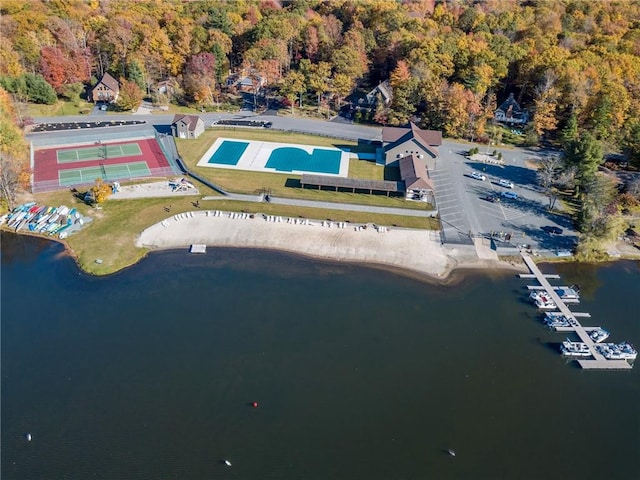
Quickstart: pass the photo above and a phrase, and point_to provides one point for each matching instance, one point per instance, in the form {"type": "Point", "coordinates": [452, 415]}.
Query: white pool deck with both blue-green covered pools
{"type": "Point", "coordinates": [276, 157]}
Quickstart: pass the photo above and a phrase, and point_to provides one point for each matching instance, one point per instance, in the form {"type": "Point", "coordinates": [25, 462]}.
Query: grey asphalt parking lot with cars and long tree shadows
{"type": "Point", "coordinates": [469, 205]}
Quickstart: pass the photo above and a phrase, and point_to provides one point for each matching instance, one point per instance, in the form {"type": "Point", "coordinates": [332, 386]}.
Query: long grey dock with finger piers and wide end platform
{"type": "Point", "coordinates": [598, 361]}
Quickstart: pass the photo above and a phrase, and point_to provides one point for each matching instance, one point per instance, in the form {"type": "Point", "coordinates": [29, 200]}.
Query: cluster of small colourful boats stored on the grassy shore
{"type": "Point", "coordinates": [42, 219]}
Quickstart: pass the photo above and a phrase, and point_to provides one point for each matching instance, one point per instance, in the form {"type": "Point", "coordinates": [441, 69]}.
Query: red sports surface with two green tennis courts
{"type": "Point", "coordinates": [59, 167]}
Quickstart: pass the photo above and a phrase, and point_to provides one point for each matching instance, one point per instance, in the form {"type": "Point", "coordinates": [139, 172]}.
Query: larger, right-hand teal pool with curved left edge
{"type": "Point", "coordinates": [289, 159]}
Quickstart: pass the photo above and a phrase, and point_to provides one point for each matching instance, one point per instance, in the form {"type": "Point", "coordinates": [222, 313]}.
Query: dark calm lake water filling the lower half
{"type": "Point", "coordinates": [359, 373]}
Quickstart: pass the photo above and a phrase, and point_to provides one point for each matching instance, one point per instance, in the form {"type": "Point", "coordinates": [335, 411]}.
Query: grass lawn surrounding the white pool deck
{"type": "Point", "coordinates": [288, 185]}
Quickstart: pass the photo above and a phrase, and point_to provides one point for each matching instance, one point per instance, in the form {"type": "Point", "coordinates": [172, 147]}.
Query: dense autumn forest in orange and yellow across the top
{"type": "Point", "coordinates": [573, 64]}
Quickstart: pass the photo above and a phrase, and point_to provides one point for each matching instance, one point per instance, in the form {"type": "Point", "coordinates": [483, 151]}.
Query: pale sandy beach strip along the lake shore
{"type": "Point", "coordinates": [417, 251]}
